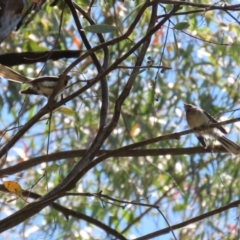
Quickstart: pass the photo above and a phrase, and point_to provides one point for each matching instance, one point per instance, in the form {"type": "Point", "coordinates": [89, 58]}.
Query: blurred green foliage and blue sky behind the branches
{"type": "Point", "coordinates": [203, 58]}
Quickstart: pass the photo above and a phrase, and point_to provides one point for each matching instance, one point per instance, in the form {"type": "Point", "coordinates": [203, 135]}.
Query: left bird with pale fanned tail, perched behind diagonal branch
{"type": "Point", "coordinates": [37, 86]}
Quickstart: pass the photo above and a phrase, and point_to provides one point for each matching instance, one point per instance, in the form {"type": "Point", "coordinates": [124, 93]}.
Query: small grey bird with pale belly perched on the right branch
{"type": "Point", "coordinates": [197, 117]}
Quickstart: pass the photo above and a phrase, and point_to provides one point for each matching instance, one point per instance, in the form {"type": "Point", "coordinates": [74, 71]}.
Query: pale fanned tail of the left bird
{"type": "Point", "coordinates": [11, 75]}
